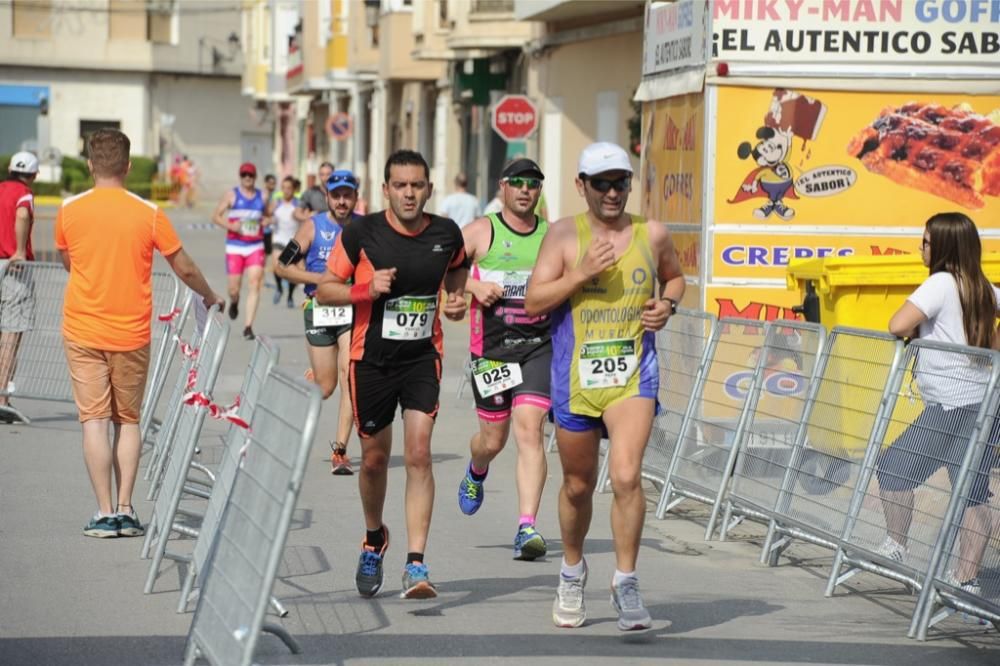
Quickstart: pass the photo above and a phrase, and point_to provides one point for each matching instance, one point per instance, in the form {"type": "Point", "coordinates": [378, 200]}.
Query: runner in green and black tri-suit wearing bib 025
{"type": "Point", "coordinates": [511, 351]}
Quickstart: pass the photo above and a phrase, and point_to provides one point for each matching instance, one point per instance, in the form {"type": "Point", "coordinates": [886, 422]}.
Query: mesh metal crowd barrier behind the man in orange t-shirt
{"type": "Point", "coordinates": [32, 295]}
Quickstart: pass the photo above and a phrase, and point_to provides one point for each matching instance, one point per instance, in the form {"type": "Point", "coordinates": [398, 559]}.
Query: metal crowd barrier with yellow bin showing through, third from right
{"type": "Point", "coordinates": [842, 410]}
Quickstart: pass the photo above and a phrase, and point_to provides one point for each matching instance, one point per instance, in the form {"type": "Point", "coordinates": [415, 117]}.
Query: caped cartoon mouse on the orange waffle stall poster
{"type": "Point", "coordinates": [773, 177]}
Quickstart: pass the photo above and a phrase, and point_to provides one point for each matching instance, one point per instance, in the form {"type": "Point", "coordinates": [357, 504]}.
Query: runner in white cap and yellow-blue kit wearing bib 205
{"type": "Point", "coordinates": [610, 280]}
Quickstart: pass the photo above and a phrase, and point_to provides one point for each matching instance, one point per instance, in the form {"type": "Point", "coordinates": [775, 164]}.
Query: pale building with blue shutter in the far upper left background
{"type": "Point", "coordinates": [166, 72]}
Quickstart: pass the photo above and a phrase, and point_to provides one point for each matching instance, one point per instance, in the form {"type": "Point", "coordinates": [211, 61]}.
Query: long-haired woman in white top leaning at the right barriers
{"type": "Point", "coordinates": [955, 304]}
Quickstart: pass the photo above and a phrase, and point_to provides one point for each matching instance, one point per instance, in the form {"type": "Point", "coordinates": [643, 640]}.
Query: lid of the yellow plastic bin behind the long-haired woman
{"type": "Point", "coordinates": [902, 269]}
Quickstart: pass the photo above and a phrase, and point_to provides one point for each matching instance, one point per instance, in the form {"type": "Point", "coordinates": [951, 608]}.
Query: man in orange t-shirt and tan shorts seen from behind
{"type": "Point", "coordinates": [106, 237]}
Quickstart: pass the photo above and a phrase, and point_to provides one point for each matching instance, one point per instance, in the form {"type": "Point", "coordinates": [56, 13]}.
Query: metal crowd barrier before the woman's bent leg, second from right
{"type": "Point", "coordinates": [898, 488]}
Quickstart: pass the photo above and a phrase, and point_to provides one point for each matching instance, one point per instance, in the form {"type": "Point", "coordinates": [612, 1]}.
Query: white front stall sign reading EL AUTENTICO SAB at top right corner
{"type": "Point", "coordinates": [884, 32]}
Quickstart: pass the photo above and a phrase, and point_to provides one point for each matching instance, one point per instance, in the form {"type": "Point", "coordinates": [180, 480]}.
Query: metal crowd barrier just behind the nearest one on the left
{"type": "Point", "coordinates": [263, 359]}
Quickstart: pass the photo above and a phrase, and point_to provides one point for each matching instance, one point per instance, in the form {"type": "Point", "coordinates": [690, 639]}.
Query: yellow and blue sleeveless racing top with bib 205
{"type": "Point", "coordinates": [601, 354]}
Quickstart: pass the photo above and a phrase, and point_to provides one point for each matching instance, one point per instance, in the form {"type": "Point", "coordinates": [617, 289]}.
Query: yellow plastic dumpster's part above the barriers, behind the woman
{"type": "Point", "coordinates": [863, 292]}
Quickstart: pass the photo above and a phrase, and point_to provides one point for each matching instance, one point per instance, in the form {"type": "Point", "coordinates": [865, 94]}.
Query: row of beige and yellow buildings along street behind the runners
{"type": "Point", "coordinates": [425, 75]}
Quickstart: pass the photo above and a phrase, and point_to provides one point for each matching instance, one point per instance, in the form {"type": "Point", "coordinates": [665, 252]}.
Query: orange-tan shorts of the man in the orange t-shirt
{"type": "Point", "coordinates": [107, 384]}
